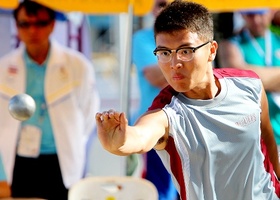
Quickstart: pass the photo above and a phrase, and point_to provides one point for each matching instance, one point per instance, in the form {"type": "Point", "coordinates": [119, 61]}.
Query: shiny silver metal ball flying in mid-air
{"type": "Point", "coordinates": [22, 107]}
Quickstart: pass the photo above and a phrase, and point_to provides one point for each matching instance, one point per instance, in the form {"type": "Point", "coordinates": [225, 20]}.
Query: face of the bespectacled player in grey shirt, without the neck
{"type": "Point", "coordinates": [186, 76]}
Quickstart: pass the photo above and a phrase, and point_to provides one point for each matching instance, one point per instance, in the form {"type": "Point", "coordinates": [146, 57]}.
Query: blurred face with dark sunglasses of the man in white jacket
{"type": "Point", "coordinates": [34, 30]}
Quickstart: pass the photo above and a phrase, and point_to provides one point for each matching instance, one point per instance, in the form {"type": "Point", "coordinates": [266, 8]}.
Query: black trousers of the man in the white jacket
{"type": "Point", "coordinates": [38, 177]}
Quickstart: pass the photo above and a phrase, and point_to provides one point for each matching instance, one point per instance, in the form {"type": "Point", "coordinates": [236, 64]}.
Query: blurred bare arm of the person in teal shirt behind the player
{"type": "Point", "coordinates": [230, 56]}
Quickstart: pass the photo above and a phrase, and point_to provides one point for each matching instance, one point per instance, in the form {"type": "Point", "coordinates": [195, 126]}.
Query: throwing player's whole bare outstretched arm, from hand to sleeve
{"type": "Point", "coordinates": [117, 137]}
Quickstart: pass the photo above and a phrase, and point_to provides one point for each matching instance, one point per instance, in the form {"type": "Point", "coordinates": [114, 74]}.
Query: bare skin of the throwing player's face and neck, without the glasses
{"type": "Point", "coordinates": [193, 78]}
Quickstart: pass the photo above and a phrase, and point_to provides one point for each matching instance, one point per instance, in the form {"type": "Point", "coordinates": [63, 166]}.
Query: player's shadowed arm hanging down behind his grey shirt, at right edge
{"type": "Point", "coordinates": [268, 136]}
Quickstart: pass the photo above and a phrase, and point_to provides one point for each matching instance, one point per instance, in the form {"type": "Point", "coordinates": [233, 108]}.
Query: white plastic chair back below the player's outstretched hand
{"type": "Point", "coordinates": [113, 188]}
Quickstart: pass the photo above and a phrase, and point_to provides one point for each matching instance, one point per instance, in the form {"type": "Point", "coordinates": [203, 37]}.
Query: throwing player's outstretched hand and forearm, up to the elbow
{"type": "Point", "coordinates": [120, 138]}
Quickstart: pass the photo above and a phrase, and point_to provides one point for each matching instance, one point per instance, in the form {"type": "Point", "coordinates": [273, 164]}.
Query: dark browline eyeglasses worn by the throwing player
{"type": "Point", "coordinates": [183, 53]}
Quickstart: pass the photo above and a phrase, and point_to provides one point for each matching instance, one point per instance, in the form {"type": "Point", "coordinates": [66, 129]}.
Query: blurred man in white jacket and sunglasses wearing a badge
{"type": "Point", "coordinates": [44, 155]}
